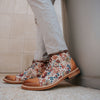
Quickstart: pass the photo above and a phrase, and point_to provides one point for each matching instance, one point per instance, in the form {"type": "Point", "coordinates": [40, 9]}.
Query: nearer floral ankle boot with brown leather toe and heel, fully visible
{"type": "Point", "coordinates": [60, 66]}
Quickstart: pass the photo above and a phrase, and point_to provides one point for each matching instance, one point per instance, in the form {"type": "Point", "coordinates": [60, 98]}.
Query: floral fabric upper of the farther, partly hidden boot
{"type": "Point", "coordinates": [35, 70]}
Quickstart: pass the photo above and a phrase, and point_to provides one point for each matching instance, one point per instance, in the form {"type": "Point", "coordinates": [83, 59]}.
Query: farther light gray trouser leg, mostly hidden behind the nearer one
{"type": "Point", "coordinates": [40, 52]}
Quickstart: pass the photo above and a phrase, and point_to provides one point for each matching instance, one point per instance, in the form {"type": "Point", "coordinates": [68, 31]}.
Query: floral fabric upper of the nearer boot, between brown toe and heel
{"type": "Point", "coordinates": [58, 66]}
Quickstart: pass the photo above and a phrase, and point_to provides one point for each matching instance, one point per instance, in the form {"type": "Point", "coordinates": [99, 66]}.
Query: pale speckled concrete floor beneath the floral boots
{"type": "Point", "coordinates": [64, 91]}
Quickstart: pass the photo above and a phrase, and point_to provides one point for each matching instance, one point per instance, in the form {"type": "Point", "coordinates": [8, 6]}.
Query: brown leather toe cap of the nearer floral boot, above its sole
{"type": "Point", "coordinates": [32, 82]}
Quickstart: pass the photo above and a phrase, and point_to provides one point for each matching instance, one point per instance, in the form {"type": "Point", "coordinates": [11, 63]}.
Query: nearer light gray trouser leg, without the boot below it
{"type": "Point", "coordinates": [48, 22]}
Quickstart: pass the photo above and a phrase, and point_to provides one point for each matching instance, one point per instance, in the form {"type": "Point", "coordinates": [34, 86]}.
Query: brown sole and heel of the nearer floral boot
{"type": "Point", "coordinates": [69, 75]}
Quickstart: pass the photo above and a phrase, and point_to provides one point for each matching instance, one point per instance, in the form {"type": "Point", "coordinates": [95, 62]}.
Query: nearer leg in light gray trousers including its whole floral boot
{"type": "Point", "coordinates": [60, 65]}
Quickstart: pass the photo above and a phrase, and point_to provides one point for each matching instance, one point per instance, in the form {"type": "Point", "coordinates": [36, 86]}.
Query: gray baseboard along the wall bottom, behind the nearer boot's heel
{"type": "Point", "coordinates": [87, 81]}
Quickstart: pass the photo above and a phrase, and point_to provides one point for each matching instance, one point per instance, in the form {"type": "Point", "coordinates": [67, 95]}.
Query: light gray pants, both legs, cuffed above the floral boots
{"type": "Point", "coordinates": [49, 37]}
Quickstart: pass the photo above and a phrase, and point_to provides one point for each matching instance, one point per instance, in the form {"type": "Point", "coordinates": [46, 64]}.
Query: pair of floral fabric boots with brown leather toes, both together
{"type": "Point", "coordinates": [44, 75]}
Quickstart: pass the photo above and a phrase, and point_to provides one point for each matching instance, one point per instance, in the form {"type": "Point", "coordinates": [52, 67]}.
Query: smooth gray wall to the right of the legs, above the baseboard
{"type": "Point", "coordinates": [84, 34]}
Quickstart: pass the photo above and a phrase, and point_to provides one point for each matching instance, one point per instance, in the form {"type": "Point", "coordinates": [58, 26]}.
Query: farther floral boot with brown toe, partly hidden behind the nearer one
{"type": "Point", "coordinates": [35, 70]}
